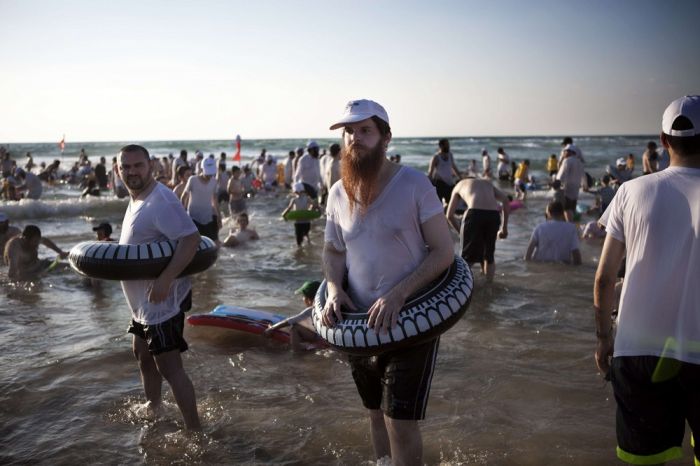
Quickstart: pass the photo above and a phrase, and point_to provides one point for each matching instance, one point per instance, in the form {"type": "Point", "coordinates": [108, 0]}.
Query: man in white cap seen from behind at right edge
{"type": "Point", "coordinates": [653, 359]}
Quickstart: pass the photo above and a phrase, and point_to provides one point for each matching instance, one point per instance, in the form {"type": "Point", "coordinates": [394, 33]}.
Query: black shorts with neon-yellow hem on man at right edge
{"type": "Point", "coordinates": [655, 396]}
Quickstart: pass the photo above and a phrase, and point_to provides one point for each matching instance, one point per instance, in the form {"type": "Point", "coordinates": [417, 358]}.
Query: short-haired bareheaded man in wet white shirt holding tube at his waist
{"type": "Point", "coordinates": [158, 306]}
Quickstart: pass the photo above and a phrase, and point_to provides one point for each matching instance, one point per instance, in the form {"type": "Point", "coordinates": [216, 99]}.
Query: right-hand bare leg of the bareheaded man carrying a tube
{"type": "Point", "coordinates": [170, 366]}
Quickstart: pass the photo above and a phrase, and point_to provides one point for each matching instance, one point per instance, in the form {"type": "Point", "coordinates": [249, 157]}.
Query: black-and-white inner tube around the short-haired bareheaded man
{"type": "Point", "coordinates": [112, 261]}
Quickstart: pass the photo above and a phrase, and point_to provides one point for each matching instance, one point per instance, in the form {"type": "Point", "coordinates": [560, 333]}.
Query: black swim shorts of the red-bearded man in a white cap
{"type": "Point", "coordinates": [397, 382]}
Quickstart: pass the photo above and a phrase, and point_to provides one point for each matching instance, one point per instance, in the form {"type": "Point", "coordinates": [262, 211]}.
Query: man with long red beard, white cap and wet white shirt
{"type": "Point", "coordinates": [386, 229]}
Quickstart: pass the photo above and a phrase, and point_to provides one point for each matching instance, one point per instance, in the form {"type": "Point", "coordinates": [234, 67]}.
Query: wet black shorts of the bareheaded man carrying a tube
{"type": "Point", "coordinates": [165, 336]}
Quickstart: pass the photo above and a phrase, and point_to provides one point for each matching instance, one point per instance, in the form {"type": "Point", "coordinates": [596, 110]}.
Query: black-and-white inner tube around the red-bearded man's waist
{"type": "Point", "coordinates": [424, 316]}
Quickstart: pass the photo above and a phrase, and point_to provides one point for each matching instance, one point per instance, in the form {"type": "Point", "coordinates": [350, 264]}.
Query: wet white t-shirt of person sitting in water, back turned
{"type": "Point", "coordinates": [554, 241]}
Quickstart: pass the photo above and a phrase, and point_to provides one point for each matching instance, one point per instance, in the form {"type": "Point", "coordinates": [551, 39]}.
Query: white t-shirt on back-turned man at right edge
{"type": "Point", "coordinates": [657, 216]}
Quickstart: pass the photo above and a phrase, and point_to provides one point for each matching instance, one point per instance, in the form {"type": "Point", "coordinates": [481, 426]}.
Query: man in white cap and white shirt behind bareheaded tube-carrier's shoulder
{"type": "Point", "coordinates": [201, 201]}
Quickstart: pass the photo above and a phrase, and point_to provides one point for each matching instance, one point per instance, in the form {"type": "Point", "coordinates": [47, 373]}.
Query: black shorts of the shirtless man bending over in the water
{"type": "Point", "coordinates": [478, 235]}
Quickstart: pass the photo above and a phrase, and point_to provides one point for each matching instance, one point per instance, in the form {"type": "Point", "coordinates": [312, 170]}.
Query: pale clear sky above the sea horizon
{"type": "Point", "coordinates": [186, 70]}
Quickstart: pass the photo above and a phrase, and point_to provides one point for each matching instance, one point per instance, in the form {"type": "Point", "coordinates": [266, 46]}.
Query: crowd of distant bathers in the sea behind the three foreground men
{"type": "Point", "coordinates": [212, 187]}
